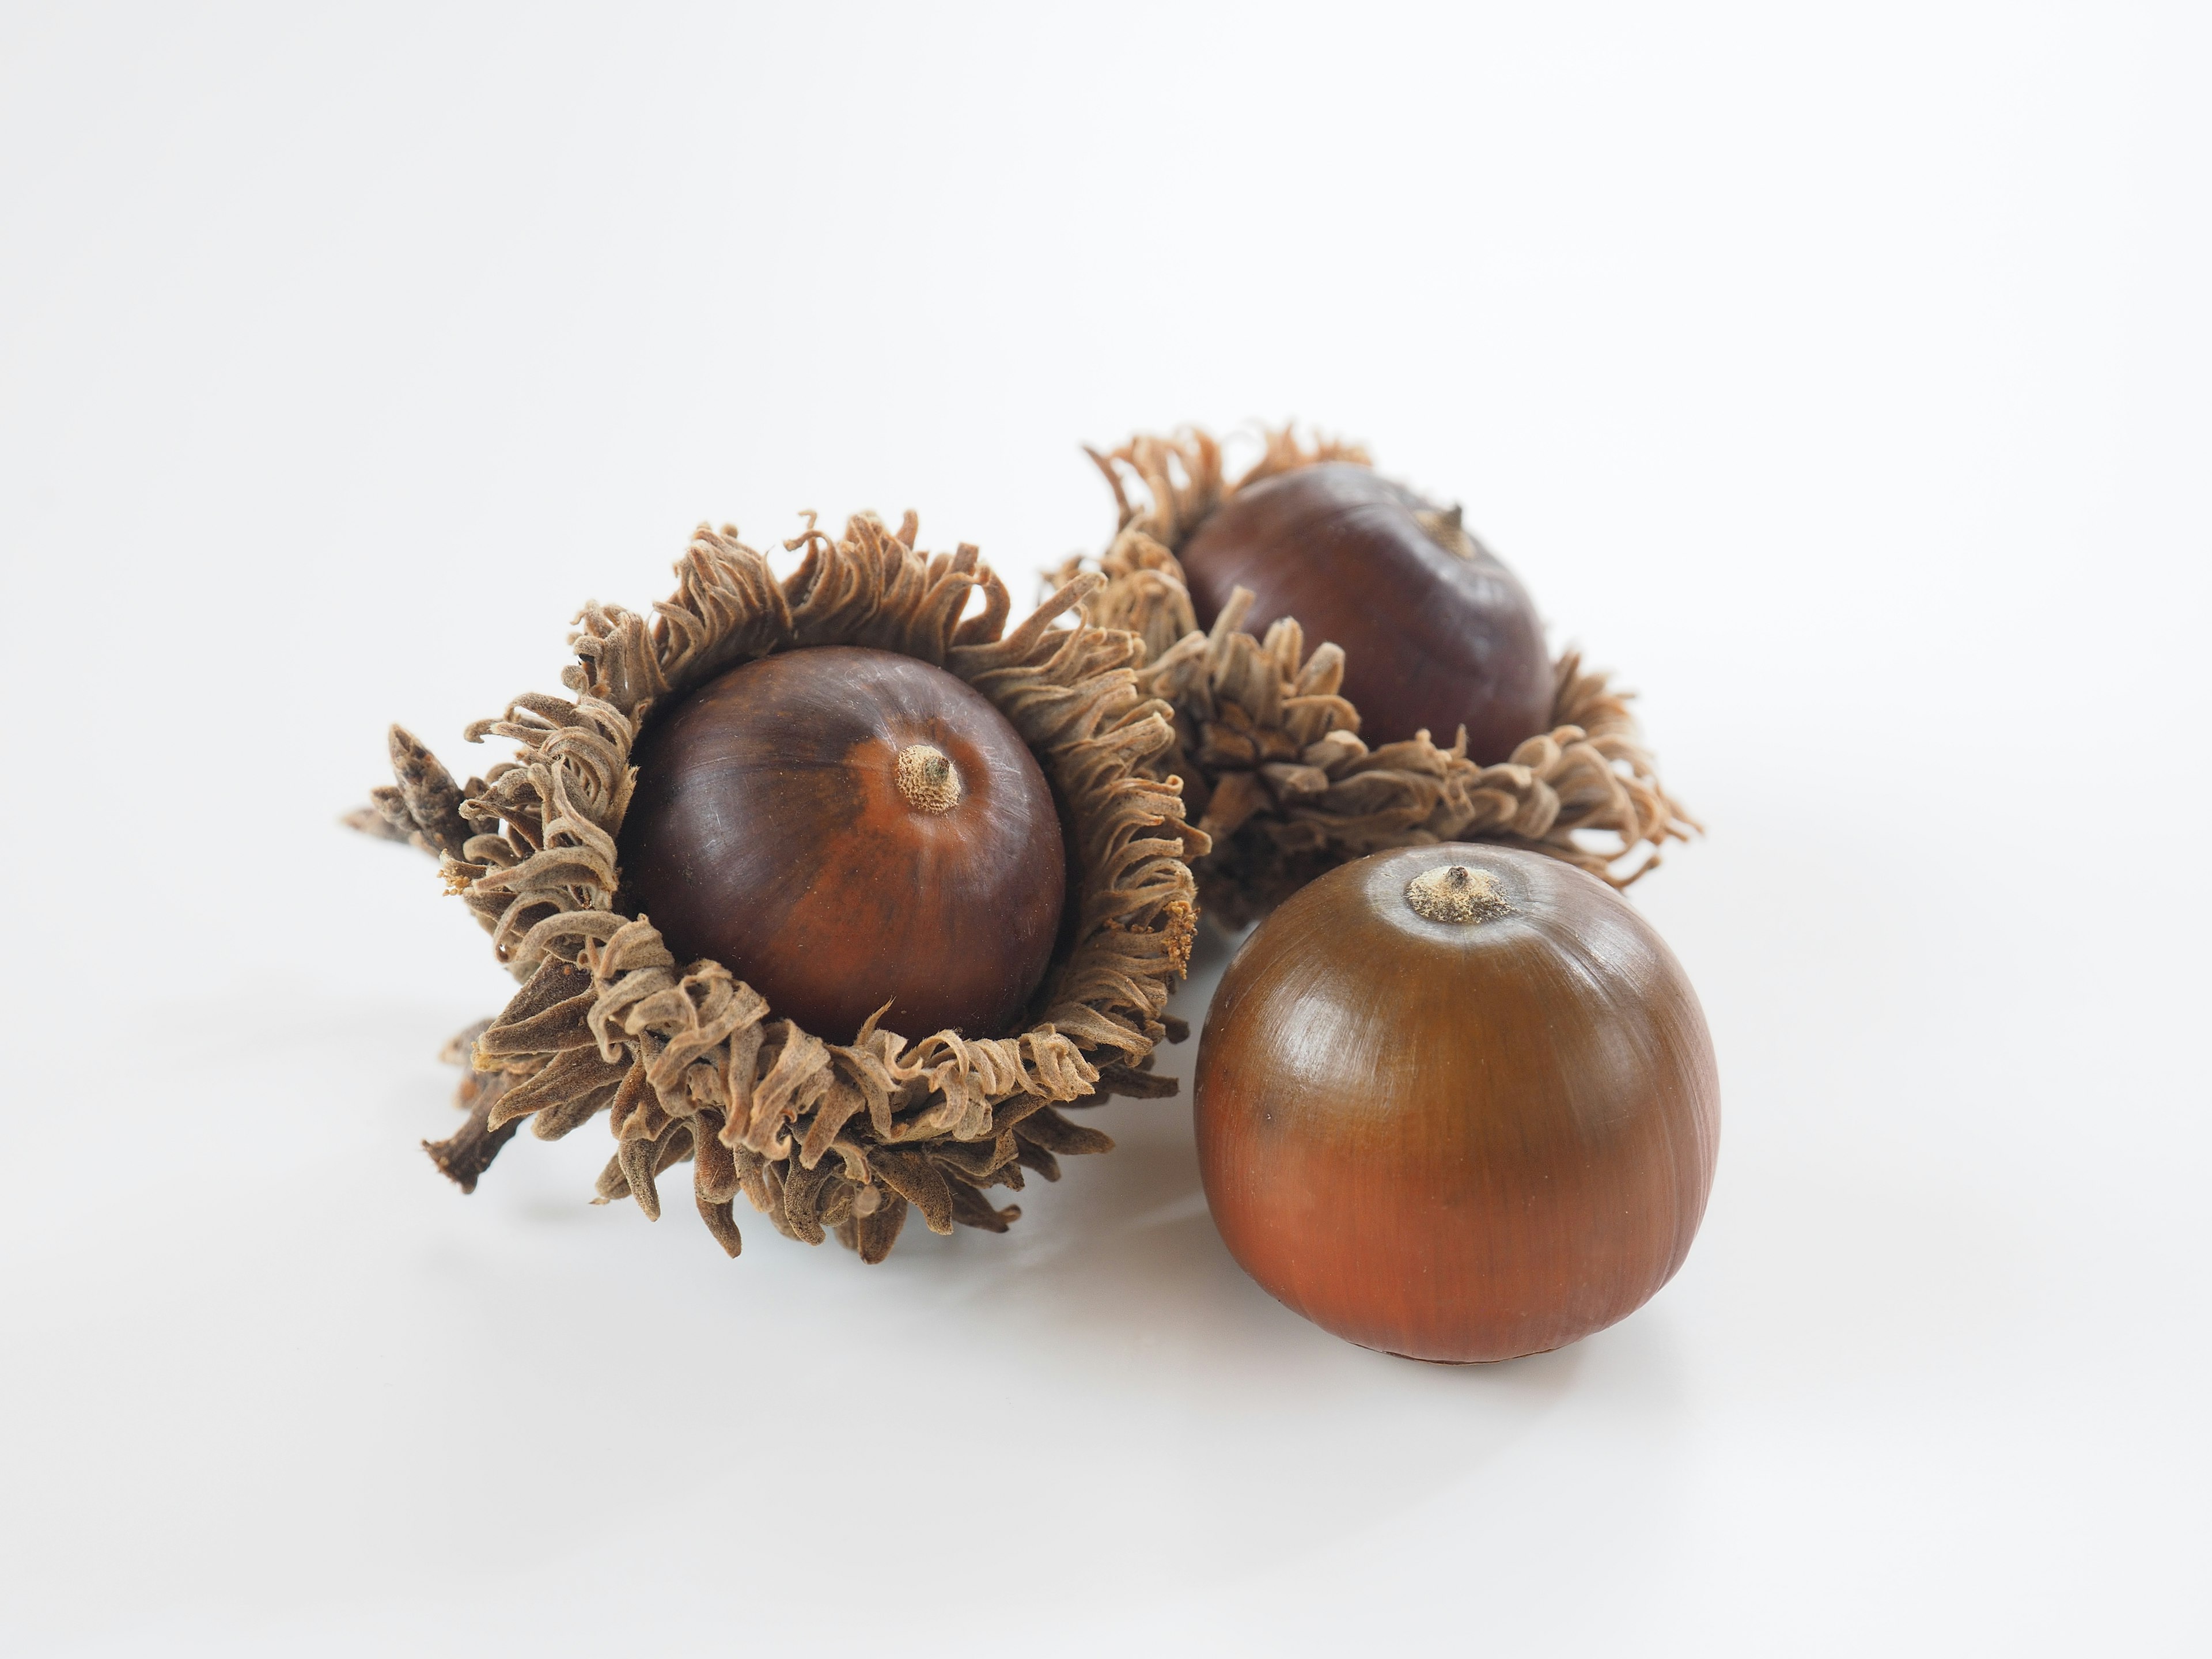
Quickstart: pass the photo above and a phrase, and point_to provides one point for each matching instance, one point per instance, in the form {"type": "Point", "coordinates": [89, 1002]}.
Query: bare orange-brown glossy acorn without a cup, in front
{"type": "Point", "coordinates": [1457, 1140]}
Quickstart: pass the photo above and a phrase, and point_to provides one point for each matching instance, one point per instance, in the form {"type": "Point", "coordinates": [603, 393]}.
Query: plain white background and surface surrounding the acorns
{"type": "Point", "coordinates": [1837, 375]}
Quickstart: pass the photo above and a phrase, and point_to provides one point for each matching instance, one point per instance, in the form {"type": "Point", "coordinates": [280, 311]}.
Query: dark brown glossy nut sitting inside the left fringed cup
{"type": "Point", "coordinates": [771, 835]}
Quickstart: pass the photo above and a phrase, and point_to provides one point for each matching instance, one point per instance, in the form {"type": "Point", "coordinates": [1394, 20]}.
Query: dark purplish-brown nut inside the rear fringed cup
{"type": "Point", "coordinates": [1432, 638]}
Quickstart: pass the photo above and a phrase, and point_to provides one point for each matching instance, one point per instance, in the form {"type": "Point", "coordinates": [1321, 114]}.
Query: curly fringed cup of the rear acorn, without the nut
{"type": "Point", "coordinates": [1271, 749]}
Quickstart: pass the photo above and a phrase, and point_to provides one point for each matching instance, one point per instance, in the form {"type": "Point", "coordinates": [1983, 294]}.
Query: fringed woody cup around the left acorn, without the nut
{"type": "Point", "coordinates": [689, 1061]}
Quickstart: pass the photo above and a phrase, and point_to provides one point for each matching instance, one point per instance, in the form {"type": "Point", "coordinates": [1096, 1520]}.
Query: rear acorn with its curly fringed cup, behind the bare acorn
{"type": "Point", "coordinates": [1271, 744]}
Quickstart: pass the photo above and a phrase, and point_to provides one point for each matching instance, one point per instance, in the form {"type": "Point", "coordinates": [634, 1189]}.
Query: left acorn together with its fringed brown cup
{"type": "Point", "coordinates": [786, 822]}
